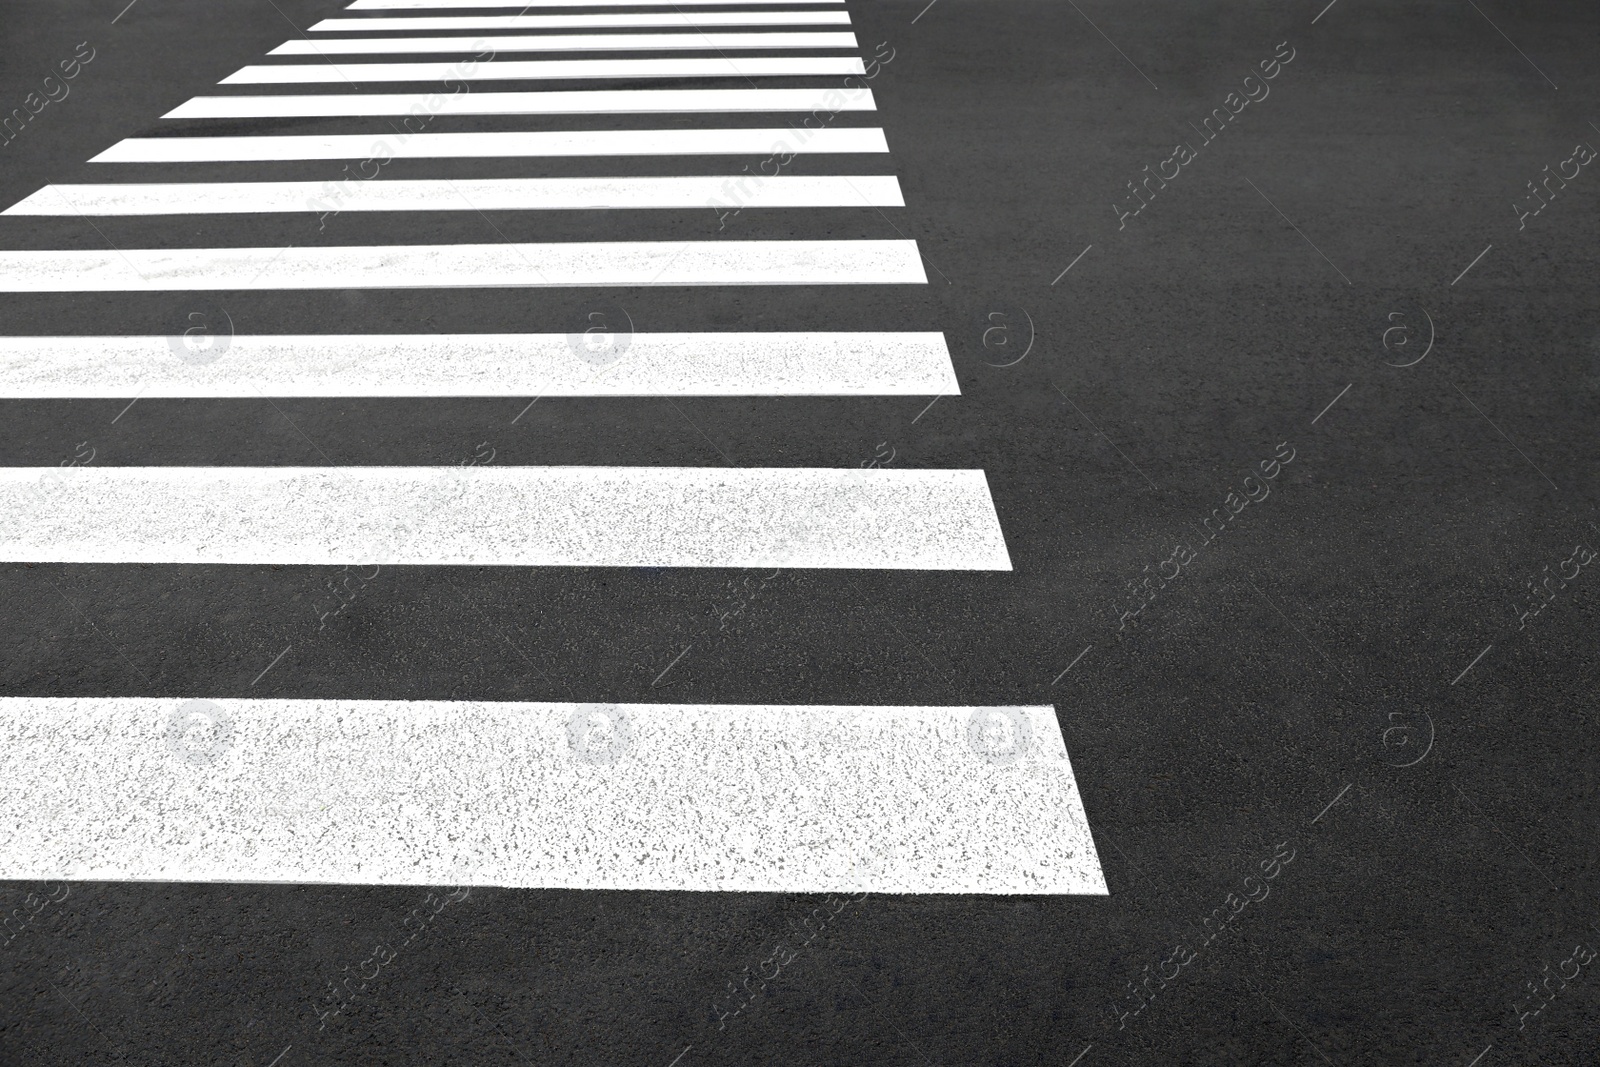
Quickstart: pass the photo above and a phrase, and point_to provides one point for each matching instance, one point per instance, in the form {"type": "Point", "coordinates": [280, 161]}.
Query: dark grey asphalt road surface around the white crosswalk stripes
{"type": "Point", "coordinates": [1308, 653]}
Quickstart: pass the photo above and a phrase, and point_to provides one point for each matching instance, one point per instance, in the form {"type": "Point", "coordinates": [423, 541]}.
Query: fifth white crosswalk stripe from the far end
{"type": "Point", "coordinates": [550, 103]}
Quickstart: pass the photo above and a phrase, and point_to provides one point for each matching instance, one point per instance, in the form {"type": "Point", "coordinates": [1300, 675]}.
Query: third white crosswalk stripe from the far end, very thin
{"type": "Point", "coordinates": [562, 42]}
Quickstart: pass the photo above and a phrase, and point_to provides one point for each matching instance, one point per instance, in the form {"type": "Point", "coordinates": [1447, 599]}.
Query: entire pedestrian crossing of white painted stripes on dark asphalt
{"type": "Point", "coordinates": [671, 797]}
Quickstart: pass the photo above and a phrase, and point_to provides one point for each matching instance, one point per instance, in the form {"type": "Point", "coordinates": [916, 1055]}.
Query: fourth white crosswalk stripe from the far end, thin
{"type": "Point", "coordinates": [546, 70]}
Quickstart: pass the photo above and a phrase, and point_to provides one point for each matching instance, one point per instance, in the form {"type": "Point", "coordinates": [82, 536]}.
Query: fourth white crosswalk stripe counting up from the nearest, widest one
{"type": "Point", "coordinates": [450, 266]}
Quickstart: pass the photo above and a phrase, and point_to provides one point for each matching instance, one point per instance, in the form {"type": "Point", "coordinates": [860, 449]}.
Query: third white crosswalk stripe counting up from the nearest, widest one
{"type": "Point", "coordinates": [481, 366]}
